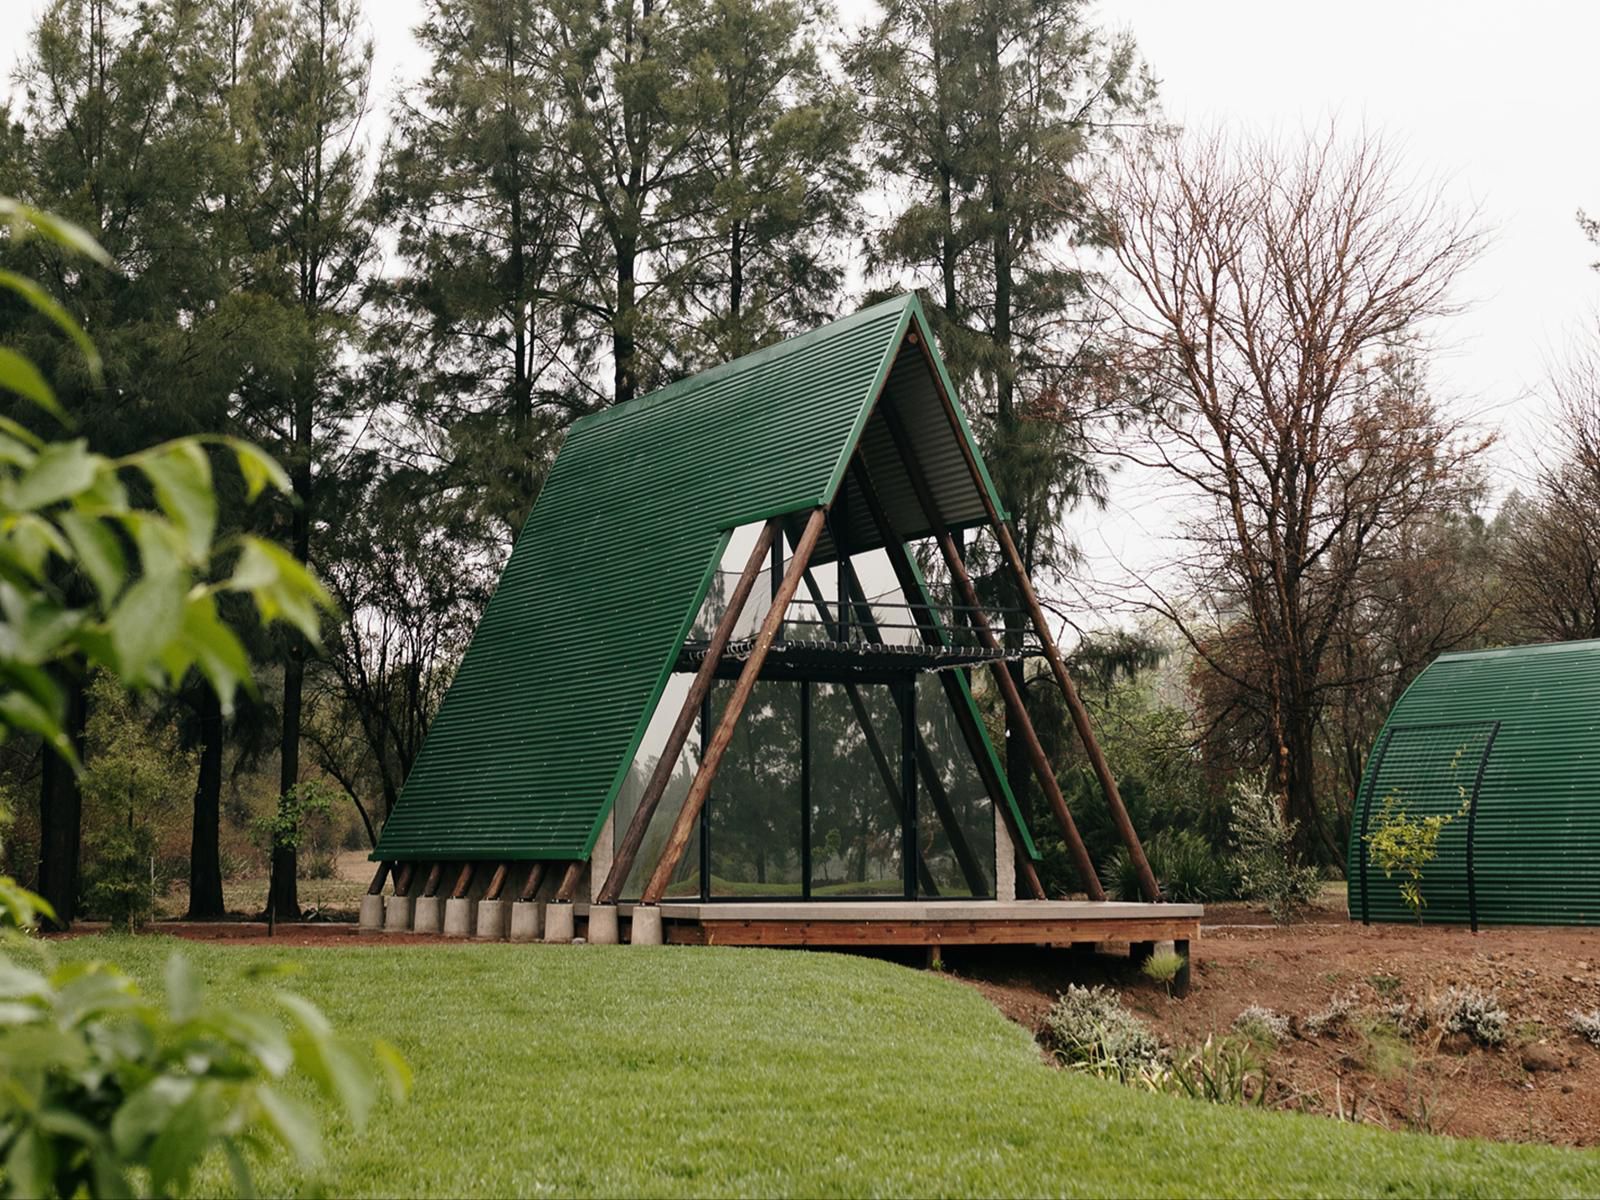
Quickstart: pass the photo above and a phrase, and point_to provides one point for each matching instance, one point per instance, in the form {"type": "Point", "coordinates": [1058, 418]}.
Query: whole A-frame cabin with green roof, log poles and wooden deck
{"type": "Point", "coordinates": [716, 700]}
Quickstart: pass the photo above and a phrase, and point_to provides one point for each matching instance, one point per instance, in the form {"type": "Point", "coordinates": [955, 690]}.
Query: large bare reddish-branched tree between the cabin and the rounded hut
{"type": "Point", "coordinates": [1276, 297]}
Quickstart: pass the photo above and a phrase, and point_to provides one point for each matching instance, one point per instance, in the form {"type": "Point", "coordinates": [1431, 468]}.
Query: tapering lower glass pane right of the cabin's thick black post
{"type": "Point", "coordinates": [956, 831]}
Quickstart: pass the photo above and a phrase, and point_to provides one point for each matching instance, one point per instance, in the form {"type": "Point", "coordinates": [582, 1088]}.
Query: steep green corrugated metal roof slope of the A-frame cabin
{"type": "Point", "coordinates": [567, 665]}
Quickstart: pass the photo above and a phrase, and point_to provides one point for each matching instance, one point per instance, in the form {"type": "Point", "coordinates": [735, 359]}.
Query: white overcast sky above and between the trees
{"type": "Point", "coordinates": [1502, 102]}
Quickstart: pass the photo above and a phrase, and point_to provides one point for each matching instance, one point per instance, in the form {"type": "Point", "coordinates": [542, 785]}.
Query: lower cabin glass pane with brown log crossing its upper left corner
{"type": "Point", "coordinates": [756, 806]}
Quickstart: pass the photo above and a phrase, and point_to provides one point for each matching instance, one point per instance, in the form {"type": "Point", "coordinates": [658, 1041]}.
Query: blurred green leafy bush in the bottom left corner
{"type": "Point", "coordinates": [110, 1094]}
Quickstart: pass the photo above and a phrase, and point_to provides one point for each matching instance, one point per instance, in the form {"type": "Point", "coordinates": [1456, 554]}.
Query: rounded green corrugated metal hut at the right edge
{"type": "Point", "coordinates": [1519, 729]}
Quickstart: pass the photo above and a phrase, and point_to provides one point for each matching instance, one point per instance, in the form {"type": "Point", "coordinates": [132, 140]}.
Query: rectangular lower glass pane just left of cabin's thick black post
{"type": "Point", "coordinates": [855, 793]}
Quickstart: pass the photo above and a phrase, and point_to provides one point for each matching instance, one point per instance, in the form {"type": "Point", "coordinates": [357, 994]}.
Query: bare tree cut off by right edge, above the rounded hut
{"type": "Point", "coordinates": [1553, 559]}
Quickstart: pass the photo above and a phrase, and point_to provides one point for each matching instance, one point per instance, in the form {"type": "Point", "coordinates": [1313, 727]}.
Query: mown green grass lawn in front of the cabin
{"type": "Point", "coordinates": [631, 1071]}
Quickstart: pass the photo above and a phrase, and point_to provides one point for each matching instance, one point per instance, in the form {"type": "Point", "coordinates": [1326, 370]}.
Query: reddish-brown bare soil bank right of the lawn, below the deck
{"type": "Point", "coordinates": [1543, 1086]}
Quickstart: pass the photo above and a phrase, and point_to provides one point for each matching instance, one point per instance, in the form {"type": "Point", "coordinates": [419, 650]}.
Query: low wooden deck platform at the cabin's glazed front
{"type": "Point", "coordinates": [844, 924]}
